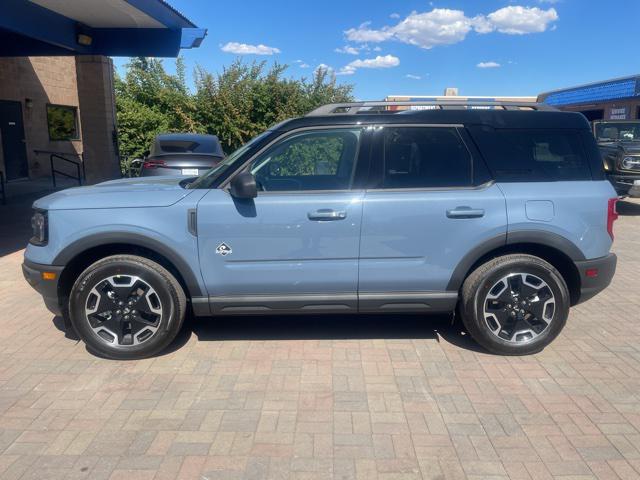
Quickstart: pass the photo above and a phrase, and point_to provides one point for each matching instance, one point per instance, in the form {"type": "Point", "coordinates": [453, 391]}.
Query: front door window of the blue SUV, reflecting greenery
{"type": "Point", "coordinates": [312, 160]}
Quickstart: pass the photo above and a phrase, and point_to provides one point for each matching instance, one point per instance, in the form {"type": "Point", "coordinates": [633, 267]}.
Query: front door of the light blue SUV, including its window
{"type": "Point", "coordinates": [295, 246]}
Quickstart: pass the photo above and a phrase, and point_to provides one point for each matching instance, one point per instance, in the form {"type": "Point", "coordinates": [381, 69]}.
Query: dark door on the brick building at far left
{"type": "Point", "coordinates": [13, 142]}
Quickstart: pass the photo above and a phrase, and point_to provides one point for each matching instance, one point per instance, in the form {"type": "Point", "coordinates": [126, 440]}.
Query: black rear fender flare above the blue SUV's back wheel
{"type": "Point", "coordinates": [531, 237]}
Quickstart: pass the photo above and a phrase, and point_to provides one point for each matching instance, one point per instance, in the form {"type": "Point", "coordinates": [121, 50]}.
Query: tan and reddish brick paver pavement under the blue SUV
{"type": "Point", "coordinates": [326, 397]}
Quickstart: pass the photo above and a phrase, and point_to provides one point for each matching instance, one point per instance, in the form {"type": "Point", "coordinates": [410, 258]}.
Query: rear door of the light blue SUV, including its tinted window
{"type": "Point", "coordinates": [430, 203]}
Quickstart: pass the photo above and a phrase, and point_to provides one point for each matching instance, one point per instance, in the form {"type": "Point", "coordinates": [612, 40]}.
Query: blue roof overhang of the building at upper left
{"type": "Point", "coordinates": [149, 28]}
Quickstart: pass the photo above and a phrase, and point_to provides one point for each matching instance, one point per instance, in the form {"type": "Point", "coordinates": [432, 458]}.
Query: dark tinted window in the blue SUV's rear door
{"type": "Point", "coordinates": [425, 157]}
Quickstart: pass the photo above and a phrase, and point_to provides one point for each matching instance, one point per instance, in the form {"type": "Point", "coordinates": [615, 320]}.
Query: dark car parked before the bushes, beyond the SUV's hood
{"type": "Point", "coordinates": [188, 154]}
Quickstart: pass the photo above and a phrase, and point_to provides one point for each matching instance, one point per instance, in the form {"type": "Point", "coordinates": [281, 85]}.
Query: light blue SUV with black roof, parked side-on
{"type": "Point", "coordinates": [502, 212]}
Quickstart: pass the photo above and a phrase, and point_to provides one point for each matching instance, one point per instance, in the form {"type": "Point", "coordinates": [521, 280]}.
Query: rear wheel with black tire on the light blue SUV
{"type": "Point", "coordinates": [477, 287]}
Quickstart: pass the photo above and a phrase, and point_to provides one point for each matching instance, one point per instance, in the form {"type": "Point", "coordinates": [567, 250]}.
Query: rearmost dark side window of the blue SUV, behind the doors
{"type": "Point", "coordinates": [533, 155]}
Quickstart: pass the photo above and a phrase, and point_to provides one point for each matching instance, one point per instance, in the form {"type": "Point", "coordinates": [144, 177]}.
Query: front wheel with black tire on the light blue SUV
{"type": "Point", "coordinates": [168, 298]}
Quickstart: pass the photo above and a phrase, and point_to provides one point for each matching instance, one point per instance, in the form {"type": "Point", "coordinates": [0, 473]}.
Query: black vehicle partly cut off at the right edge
{"type": "Point", "coordinates": [619, 142]}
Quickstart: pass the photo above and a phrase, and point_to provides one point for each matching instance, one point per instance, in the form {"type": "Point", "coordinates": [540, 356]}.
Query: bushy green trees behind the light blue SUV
{"type": "Point", "coordinates": [236, 104]}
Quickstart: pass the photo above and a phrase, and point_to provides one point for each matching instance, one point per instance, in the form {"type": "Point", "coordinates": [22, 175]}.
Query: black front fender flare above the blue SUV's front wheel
{"type": "Point", "coordinates": [83, 244]}
